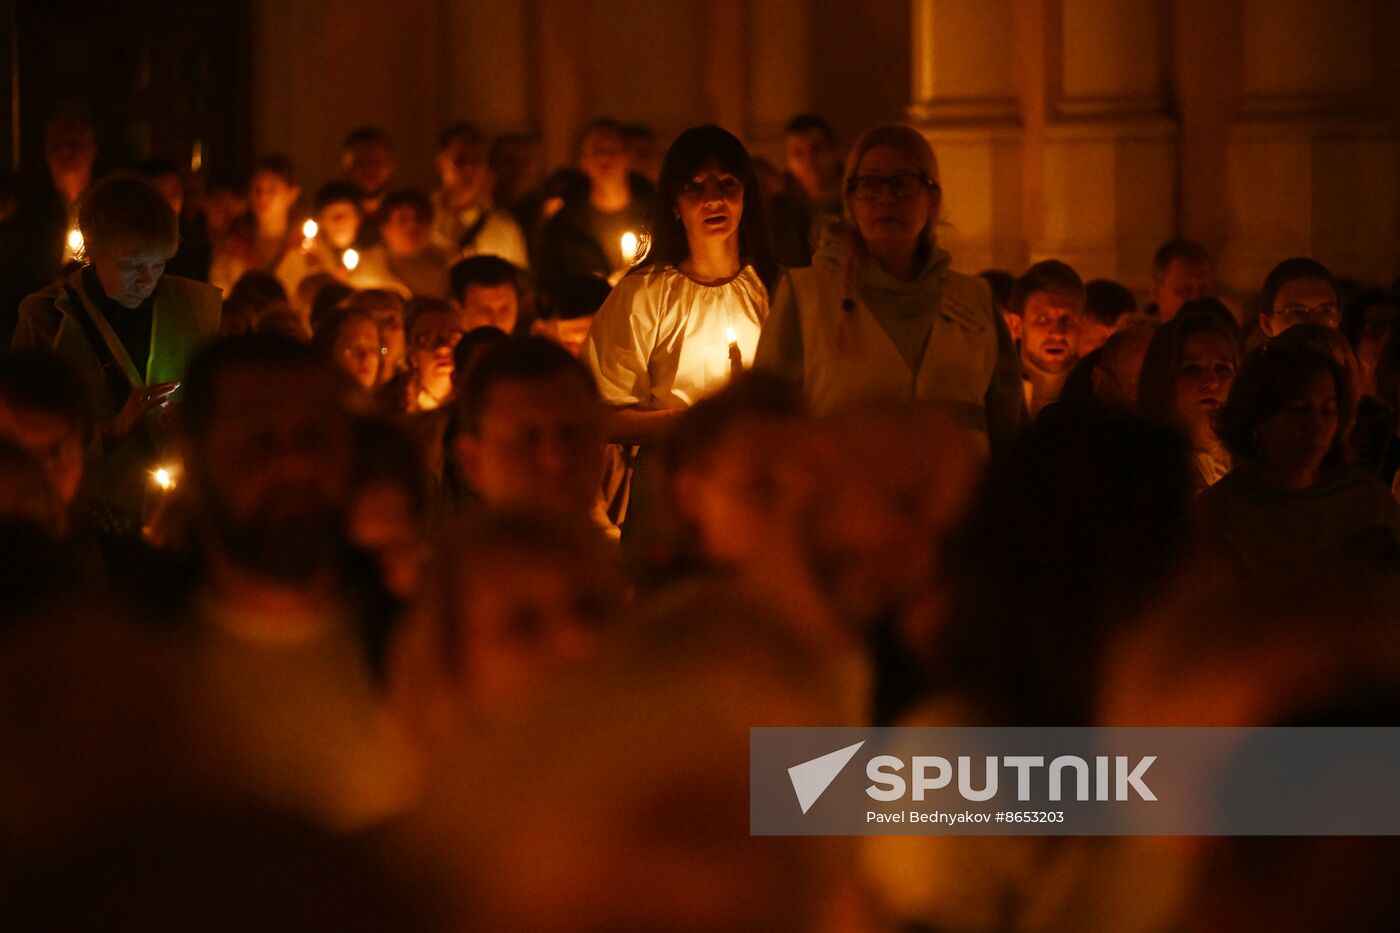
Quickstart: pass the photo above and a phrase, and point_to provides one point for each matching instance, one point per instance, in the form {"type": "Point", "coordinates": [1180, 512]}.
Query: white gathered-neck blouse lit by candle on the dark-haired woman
{"type": "Point", "coordinates": [663, 340]}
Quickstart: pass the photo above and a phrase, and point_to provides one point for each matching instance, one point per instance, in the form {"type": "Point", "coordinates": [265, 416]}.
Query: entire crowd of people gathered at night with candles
{"type": "Point", "coordinates": [440, 548]}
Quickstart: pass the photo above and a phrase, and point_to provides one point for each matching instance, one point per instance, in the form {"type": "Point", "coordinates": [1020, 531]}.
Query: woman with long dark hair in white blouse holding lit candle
{"type": "Point", "coordinates": [688, 316]}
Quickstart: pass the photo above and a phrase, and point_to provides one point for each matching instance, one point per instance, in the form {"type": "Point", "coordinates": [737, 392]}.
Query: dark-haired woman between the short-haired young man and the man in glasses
{"type": "Point", "coordinates": [1186, 376]}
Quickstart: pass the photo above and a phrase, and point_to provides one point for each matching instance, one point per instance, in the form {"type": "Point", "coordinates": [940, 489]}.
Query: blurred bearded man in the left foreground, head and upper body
{"type": "Point", "coordinates": [288, 621]}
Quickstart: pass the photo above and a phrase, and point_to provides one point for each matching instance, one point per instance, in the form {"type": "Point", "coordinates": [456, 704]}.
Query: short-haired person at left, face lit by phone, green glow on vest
{"type": "Point", "coordinates": [128, 329]}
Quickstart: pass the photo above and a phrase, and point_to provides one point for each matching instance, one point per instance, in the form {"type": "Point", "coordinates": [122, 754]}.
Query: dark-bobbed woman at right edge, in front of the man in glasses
{"type": "Point", "coordinates": [1293, 501]}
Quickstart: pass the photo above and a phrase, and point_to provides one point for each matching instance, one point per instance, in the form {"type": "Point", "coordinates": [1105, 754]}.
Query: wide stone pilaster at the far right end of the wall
{"type": "Point", "coordinates": [1314, 152]}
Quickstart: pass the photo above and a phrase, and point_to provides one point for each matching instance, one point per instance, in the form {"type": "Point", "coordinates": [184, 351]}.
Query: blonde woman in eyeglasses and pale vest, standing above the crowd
{"type": "Point", "coordinates": [881, 317]}
